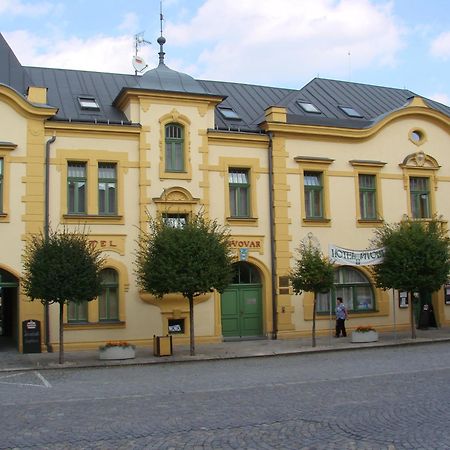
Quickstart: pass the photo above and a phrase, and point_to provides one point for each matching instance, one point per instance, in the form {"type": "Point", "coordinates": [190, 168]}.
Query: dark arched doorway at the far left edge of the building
{"type": "Point", "coordinates": [8, 308]}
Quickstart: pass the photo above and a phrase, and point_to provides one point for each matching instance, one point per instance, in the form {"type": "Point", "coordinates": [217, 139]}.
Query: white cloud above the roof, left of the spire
{"type": "Point", "coordinates": [97, 53]}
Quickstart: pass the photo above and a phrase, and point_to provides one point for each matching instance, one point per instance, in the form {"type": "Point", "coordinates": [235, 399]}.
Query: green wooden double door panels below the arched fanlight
{"type": "Point", "coordinates": [242, 311]}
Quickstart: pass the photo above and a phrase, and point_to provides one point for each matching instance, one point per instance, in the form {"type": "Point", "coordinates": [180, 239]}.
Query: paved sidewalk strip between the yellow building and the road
{"type": "Point", "coordinates": [11, 360]}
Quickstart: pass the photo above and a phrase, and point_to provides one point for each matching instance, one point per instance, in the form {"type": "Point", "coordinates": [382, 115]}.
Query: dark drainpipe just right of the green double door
{"type": "Point", "coordinates": [273, 262]}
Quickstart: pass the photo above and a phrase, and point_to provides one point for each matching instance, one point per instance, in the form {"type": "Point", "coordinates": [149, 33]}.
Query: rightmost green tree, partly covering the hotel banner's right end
{"type": "Point", "coordinates": [416, 258]}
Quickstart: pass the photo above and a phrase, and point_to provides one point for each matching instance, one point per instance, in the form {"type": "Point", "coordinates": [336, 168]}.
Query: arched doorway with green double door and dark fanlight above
{"type": "Point", "coordinates": [241, 304]}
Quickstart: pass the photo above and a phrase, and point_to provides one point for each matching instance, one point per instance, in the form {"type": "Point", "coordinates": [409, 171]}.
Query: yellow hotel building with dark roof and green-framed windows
{"type": "Point", "coordinates": [276, 166]}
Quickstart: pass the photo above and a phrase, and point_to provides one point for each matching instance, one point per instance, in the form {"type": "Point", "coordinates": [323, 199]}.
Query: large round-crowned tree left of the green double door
{"type": "Point", "coordinates": [192, 259]}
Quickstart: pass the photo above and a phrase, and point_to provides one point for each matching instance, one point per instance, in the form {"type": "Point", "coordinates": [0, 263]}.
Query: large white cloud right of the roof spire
{"type": "Point", "coordinates": [259, 41]}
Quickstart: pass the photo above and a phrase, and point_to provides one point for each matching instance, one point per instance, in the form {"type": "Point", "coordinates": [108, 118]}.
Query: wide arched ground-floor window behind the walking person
{"type": "Point", "coordinates": [355, 289]}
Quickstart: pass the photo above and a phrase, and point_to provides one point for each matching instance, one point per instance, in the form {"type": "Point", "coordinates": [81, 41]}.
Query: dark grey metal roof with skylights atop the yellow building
{"type": "Point", "coordinates": [248, 101]}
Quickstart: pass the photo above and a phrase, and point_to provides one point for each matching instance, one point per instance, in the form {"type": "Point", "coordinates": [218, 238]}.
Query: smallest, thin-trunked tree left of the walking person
{"type": "Point", "coordinates": [313, 272]}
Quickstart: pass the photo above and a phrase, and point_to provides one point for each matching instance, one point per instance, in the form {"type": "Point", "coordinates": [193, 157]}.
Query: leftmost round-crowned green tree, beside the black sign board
{"type": "Point", "coordinates": [62, 267]}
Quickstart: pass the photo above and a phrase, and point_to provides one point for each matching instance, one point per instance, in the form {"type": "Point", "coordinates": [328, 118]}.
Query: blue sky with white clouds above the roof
{"type": "Point", "coordinates": [283, 43]}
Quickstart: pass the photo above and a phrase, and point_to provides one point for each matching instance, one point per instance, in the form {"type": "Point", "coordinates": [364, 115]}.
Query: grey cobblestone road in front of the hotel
{"type": "Point", "coordinates": [385, 398]}
